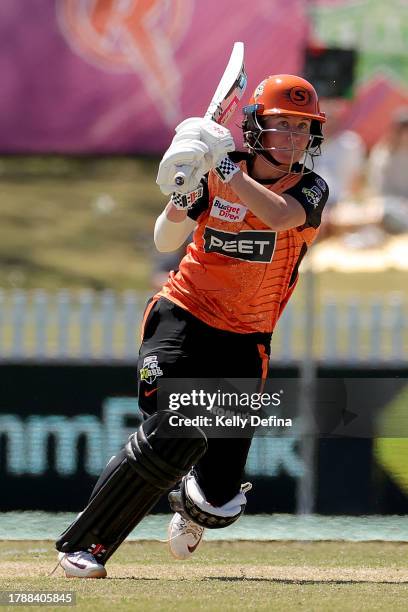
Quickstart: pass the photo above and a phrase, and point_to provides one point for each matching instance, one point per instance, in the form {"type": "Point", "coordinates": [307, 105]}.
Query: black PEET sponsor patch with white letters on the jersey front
{"type": "Point", "coordinates": [255, 246]}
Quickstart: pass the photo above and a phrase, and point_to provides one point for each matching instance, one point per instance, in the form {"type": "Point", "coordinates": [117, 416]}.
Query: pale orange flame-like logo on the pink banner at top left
{"type": "Point", "coordinates": [131, 36]}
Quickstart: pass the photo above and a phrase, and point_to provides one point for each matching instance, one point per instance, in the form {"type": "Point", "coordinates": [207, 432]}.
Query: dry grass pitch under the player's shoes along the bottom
{"type": "Point", "coordinates": [326, 576]}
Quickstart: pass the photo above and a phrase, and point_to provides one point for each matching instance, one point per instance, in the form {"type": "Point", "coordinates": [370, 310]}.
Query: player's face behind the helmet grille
{"type": "Point", "coordinates": [288, 137]}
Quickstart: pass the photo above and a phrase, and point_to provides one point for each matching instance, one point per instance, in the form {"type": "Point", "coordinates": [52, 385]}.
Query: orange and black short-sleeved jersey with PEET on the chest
{"type": "Point", "coordinates": [238, 274]}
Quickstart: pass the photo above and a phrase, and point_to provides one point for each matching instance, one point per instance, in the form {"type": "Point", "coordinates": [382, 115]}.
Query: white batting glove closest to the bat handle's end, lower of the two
{"type": "Point", "coordinates": [191, 154]}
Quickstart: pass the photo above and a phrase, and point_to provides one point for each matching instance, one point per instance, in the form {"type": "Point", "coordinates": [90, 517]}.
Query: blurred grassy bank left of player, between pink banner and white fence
{"type": "Point", "coordinates": [72, 222]}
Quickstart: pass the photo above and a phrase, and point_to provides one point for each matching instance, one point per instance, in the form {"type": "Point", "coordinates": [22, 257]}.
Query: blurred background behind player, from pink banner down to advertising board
{"type": "Point", "coordinates": [91, 93]}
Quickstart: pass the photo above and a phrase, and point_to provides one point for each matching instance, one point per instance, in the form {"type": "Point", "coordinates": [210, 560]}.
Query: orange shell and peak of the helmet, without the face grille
{"type": "Point", "coordinates": [287, 94]}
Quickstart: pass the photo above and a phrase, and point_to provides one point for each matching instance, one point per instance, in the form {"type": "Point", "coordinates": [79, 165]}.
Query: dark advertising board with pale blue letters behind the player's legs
{"type": "Point", "coordinates": [60, 424]}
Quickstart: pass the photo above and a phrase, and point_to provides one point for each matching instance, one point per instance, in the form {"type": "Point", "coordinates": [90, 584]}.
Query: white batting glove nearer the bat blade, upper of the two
{"type": "Point", "coordinates": [217, 137]}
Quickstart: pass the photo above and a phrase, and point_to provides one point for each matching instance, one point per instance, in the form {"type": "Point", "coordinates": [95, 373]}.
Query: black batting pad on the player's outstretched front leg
{"type": "Point", "coordinates": [156, 458]}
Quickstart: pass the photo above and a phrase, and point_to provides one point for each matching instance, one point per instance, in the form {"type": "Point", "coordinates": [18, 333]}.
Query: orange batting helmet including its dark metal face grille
{"type": "Point", "coordinates": [283, 94]}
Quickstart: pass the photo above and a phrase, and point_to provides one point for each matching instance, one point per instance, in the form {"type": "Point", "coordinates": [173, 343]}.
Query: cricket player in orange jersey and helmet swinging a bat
{"type": "Point", "coordinates": [254, 215]}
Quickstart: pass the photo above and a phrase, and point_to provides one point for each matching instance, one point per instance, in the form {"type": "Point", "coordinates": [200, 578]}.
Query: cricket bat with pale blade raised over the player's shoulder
{"type": "Point", "coordinates": [226, 98]}
